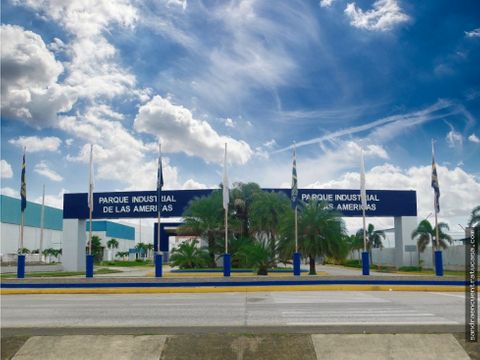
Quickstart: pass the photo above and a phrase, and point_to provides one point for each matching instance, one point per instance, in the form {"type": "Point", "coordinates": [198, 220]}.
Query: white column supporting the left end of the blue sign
{"type": "Point", "coordinates": [74, 243]}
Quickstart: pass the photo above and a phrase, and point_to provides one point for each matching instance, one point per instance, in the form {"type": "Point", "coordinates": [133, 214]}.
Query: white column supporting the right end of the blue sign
{"type": "Point", "coordinates": [404, 226]}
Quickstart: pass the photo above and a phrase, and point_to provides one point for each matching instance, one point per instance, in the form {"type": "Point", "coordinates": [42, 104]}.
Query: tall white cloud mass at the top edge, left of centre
{"type": "Point", "coordinates": [93, 70]}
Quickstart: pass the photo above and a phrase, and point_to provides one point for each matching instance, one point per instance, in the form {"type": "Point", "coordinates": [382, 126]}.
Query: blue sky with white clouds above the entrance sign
{"type": "Point", "coordinates": [333, 76]}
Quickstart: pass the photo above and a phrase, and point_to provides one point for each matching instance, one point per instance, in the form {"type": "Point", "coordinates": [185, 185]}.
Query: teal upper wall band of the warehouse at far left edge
{"type": "Point", "coordinates": [11, 214]}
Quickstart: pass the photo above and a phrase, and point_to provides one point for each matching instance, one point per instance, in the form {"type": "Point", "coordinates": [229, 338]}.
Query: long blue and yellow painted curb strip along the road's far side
{"type": "Point", "coordinates": [244, 284]}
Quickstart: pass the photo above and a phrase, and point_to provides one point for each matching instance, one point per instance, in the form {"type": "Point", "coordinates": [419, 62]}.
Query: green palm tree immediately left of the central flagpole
{"type": "Point", "coordinates": [204, 217]}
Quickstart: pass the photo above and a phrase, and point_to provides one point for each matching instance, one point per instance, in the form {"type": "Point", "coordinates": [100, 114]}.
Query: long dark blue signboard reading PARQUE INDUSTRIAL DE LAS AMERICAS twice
{"type": "Point", "coordinates": [143, 204]}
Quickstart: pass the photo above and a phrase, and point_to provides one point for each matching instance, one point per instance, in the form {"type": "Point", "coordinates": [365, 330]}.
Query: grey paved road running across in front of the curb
{"type": "Point", "coordinates": [233, 309]}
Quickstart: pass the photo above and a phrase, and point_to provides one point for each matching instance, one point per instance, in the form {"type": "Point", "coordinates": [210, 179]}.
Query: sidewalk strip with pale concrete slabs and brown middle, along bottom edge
{"type": "Point", "coordinates": [244, 346]}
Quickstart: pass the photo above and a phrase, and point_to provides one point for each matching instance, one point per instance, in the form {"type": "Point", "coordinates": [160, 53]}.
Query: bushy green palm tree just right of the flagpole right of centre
{"type": "Point", "coordinates": [320, 232]}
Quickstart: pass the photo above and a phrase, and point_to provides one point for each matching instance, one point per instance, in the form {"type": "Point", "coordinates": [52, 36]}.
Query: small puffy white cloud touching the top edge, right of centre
{"type": "Point", "coordinates": [385, 15]}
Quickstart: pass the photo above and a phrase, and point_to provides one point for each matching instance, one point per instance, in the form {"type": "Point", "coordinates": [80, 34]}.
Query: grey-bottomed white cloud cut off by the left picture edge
{"type": "Point", "coordinates": [30, 91]}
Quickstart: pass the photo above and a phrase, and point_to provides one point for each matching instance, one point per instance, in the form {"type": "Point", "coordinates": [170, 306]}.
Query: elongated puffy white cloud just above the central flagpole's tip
{"type": "Point", "coordinates": [179, 131]}
